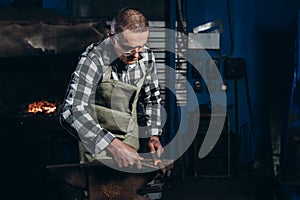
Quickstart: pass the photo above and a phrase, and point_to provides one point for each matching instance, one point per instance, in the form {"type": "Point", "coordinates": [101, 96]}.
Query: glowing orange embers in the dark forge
{"type": "Point", "coordinates": [42, 107]}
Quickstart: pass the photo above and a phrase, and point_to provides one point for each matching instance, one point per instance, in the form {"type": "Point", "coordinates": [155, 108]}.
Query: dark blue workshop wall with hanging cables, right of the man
{"type": "Point", "coordinates": [263, 33]}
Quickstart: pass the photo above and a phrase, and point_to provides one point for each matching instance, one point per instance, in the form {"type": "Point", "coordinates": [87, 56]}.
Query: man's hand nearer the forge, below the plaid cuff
{"type": "Point", "coordinates": [124, 155]}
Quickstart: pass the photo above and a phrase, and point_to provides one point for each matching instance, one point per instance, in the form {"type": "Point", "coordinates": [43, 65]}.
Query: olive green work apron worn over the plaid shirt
{"type": "Point", "coordinates": [115, 107]}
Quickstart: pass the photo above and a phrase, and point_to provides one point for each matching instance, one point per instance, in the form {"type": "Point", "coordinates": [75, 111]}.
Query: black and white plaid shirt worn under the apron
{"type": "Point", "coordinates": [90, 69]}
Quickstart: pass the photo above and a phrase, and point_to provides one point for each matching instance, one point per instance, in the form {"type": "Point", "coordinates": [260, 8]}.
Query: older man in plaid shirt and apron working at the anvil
{"type": "Point", "coordinates": [111, 79]}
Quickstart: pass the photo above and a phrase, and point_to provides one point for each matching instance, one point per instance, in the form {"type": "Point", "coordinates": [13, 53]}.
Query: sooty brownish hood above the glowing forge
{"type": "Point", "coordinates": [31, 38]}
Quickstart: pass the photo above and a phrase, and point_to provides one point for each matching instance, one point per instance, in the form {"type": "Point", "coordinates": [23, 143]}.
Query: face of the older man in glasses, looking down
{"type": "Point", "coordinates": [129, 45]}
